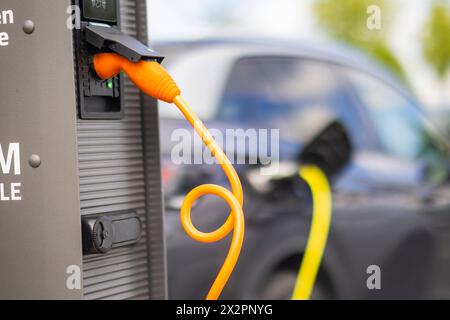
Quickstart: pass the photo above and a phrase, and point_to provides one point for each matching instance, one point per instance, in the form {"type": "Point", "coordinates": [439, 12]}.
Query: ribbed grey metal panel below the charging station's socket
{"type": "Point", "coordinates": [112, 178]}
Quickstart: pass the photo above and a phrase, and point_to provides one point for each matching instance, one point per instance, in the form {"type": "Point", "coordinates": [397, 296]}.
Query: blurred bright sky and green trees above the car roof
{"type": "Point", "coordinates": [413, 40]}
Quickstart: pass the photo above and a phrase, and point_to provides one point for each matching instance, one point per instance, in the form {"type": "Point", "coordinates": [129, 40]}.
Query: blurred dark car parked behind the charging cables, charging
{"type": "Point", "coordinates": [390, 200]}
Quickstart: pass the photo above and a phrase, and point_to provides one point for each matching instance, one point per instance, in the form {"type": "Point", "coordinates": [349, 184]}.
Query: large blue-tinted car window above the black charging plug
{"type": "Point", "coordinates": [296, 96]}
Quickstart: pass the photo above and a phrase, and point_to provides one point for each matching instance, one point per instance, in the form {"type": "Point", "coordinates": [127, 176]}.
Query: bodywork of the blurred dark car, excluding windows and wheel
{"type": "Point", "coordinates": [380, 211]}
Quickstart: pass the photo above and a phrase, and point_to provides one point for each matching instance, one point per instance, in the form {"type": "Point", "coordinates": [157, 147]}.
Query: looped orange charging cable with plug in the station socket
{"type": "Point", "coordinates": [153, 80]}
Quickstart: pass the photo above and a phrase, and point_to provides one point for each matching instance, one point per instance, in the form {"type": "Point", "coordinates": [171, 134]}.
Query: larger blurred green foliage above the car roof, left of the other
{"type": "Point", "coordinates": [346, 21]}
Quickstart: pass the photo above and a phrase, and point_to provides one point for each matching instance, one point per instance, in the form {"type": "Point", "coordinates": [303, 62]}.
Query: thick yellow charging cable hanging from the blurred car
{"type": "Point", "coordinates": [318, 235]}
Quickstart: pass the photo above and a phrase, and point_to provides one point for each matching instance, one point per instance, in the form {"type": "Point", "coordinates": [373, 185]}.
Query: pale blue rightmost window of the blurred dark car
{"type": "Point", "coordinates": [401, 126]}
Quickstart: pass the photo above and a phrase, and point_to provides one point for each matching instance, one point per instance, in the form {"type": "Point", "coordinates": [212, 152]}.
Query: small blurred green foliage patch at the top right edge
{"type": "Point", "coordinates": [436, 39]}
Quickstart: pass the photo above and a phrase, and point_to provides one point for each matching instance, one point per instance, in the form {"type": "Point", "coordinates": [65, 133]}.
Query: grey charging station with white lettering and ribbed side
{"type": "Point", "coordinates": [81, 210]}
